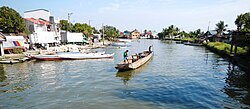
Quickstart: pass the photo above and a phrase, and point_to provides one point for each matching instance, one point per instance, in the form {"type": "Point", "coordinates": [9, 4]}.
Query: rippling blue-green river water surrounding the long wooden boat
{"type": "Point", "coordinates": [177, 77]}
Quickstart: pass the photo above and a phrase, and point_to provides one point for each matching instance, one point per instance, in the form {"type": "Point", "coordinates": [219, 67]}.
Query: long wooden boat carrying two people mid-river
{"type": "Point", "coordinates": [135, 61]}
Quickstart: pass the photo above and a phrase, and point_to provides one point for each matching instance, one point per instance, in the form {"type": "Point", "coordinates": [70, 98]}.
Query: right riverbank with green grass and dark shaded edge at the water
{"type": "Point", "coordinates": [223, 49]}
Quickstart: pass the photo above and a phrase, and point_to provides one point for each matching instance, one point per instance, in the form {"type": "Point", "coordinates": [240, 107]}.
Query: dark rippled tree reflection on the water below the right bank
{"type": "Point", "coordinates": [238, 85]}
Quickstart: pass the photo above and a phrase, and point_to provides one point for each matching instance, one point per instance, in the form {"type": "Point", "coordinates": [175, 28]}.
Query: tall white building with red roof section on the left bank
{"type": "Point", "coordinates": [43, 27]}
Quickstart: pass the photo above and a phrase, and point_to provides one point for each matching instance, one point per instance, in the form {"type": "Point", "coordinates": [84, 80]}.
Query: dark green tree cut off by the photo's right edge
{"type": "Point", "coordinates": [243, 22]}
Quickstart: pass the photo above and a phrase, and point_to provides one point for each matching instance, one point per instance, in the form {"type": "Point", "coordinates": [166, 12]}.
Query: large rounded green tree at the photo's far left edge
{"type": "Point", "coordinates": [10, 20]}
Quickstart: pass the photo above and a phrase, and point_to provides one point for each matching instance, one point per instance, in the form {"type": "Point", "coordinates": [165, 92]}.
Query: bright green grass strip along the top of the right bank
{"type": "Point", "coordinates": [224, 47]}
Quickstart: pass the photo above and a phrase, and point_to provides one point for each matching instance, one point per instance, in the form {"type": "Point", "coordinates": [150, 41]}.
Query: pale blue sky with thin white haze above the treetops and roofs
{"type": "Point", "coordinates": [188, 15]}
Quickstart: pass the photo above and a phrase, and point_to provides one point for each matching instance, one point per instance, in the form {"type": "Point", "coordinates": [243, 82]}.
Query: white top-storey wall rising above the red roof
{"type": "Point", "coordinates": [37, 14]}
